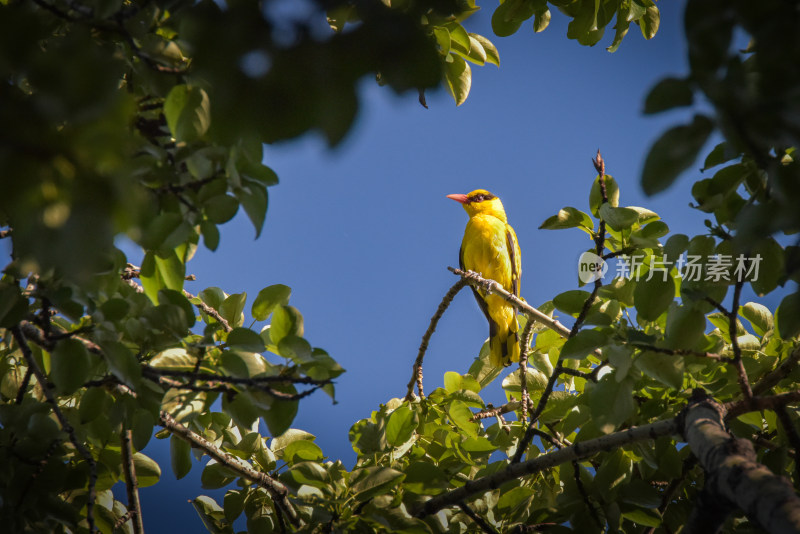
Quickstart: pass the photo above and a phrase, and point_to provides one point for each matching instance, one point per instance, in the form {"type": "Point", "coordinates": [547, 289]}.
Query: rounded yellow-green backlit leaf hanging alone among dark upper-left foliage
{"type": "Point", "coordinates": [188, 112]}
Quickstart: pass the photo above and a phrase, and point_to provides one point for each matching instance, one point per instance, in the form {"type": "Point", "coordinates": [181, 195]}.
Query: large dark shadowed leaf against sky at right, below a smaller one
{"type": "Point", "coordinates": [673, 153]}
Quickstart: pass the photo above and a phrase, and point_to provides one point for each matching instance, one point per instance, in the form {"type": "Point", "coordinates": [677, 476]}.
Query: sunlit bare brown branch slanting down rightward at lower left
{"type": "Point", "coordinates": [277, 490]}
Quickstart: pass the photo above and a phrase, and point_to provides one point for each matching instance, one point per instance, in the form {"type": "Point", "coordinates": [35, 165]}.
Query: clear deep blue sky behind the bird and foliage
{"type": "Point", "coordinates": [363, 234]}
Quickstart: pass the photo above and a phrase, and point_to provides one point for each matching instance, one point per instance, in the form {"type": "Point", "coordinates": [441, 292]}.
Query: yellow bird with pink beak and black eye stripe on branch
{"type": "Point", "coordinates": [490, 247]}
